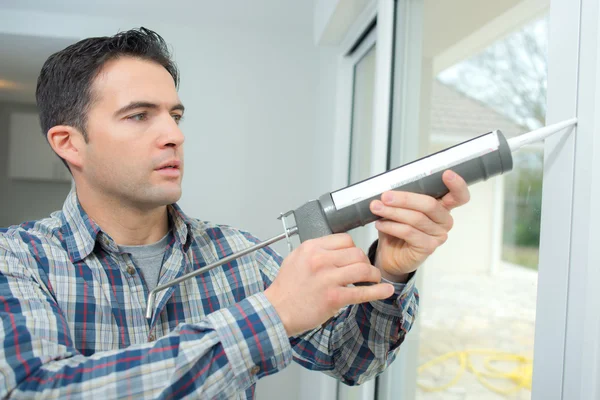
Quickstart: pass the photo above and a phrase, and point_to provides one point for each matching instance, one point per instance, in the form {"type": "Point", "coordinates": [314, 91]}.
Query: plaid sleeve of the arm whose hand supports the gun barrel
{"type": "Point", "coordinates": [361, 340]}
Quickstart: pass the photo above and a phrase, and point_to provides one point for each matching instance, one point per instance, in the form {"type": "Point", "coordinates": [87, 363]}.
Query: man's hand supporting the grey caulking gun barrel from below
{"type": "Point", "coordinates": [413, 226]}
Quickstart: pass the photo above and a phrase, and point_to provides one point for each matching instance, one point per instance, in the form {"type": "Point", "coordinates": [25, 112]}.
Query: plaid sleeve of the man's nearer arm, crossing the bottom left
{"type": "Point", "coordinates": [221, 355]}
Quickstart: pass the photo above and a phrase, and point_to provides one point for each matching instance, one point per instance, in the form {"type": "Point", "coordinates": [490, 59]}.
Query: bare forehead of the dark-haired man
{"type": "Point", "coordinates": [128, 79]}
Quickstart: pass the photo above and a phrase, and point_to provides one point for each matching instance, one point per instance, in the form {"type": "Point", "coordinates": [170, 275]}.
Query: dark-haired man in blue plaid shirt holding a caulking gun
{"type": "Point", "coordinates": [74, 286]}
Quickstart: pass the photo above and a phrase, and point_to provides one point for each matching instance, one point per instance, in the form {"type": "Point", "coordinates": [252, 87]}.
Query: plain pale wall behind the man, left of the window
{"type": "Point", "coordinates": [259, 119]}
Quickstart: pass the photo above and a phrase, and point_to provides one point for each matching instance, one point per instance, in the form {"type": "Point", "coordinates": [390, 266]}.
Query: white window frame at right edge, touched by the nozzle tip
{"type": "Point", "coordinates": [567, 337]}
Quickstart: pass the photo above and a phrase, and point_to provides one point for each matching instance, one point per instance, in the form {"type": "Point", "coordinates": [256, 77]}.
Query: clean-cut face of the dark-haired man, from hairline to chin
{"type": "Point", "coordinates": [134, 152]}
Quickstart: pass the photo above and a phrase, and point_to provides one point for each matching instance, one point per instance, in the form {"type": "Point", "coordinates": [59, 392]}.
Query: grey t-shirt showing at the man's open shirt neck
{"type": "Point", "coordinates": [148, 259]}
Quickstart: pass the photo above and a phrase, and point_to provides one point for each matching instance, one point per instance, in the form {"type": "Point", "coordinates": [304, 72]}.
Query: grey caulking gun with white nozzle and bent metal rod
{"type": "Point", "coordinates": [475, 160]}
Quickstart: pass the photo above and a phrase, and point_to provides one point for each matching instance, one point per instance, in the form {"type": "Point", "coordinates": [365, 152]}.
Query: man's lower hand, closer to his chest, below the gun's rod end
{"type": "Point", "coordinates": [311, 285]}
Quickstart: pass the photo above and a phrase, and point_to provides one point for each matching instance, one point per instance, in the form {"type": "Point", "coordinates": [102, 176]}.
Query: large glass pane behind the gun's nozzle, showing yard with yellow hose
{"type": "Point", "coordinates": [477, 312]}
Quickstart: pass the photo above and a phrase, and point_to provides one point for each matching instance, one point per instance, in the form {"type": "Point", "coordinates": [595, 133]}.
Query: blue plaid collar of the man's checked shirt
{"type": "Point", "coordinates": [82, 233]}
